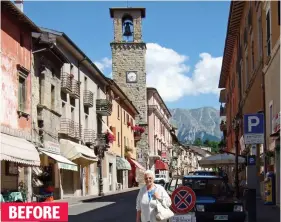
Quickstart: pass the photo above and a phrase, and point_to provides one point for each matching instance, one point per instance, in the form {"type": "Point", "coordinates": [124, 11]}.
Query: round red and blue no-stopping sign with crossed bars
{"type": "Point", "coordinates": [183, 200]}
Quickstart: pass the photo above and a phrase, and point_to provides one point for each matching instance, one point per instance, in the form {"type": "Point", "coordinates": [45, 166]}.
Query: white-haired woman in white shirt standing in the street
{"type": "Point", "coordinates": [145, 212]}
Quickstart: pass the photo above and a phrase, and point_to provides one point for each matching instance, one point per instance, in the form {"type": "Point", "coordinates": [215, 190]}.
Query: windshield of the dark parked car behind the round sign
{"type": "Point", "coordinates": [207, 187]}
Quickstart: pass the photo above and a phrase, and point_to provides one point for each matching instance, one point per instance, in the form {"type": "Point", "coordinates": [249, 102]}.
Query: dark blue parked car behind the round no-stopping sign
{"type": "Point", "coordinates": [214, 198]}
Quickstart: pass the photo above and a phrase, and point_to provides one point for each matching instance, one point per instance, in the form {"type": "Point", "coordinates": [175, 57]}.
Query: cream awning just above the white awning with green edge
{"type": "Point", "coordinates": [78, 153]}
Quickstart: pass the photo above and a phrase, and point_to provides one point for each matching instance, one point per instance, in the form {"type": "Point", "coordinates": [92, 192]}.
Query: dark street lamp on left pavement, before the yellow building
{"type": "Point", "coordinates": [100, 149]}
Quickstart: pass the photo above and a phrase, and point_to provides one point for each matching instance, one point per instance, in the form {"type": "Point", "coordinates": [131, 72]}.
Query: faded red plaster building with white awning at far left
{"type": "Point", "coordinates": [17, 153]}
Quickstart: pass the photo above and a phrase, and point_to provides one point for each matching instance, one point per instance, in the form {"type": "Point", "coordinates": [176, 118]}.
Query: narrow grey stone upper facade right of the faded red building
{"type": "Point", "coordinates": [47, 74]}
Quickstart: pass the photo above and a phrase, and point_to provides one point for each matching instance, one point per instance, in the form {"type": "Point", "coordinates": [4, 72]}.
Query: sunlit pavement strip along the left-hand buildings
{"type": "Point", "coordinates": [75, 200]}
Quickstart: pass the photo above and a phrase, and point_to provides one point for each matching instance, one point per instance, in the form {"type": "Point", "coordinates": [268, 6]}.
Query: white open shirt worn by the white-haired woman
{"type": "Point", "coordinates": [147, 212]}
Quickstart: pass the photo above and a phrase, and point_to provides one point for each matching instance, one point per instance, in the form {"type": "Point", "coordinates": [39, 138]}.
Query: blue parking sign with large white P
{"type": "Point", "coordinates": [254, 128]}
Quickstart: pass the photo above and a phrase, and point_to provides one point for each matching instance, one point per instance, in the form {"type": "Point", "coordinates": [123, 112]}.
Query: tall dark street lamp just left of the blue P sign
{"type": "Point", "coordinates": [236, 127]}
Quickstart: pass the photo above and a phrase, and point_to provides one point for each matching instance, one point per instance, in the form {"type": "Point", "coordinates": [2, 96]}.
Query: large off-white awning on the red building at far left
{"type": "Point", "coordinates": [18, 150]}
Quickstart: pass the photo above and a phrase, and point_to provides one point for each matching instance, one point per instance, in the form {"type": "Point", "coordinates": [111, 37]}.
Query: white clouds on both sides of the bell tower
{"type": "Point", "coordinates": [167, 72]}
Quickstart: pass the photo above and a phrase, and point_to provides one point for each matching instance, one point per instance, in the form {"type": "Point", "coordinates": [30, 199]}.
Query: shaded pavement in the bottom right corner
{"type": "Point", "coordinates": [267, 213]}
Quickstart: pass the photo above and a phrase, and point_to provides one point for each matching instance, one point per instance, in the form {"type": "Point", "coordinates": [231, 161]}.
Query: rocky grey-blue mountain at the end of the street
{"type": "Point", "coordinates": [203, 123]}
